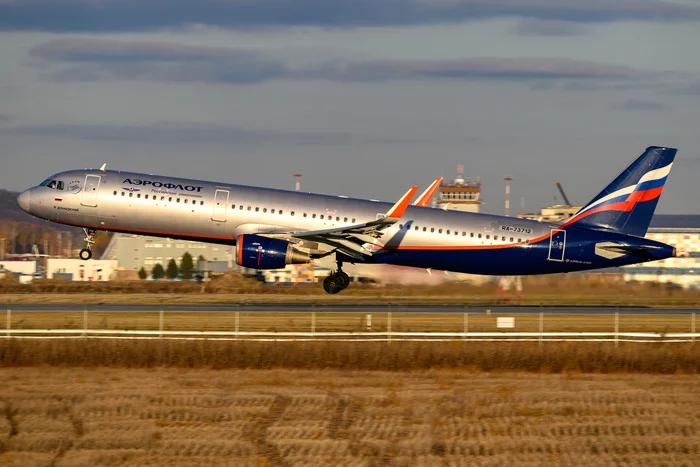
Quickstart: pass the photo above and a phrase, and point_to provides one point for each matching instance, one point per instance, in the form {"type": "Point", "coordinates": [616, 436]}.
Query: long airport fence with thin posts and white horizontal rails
{"type": "Point", "coordinates": [375, 324]}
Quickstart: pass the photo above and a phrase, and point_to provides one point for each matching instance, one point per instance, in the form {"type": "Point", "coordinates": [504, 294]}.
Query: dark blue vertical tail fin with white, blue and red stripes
{"type": "Point", "coordinates": [628, 203]}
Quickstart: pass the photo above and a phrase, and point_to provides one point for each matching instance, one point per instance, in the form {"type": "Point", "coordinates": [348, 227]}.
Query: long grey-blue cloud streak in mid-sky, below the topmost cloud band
{"type": "Point", "coordinates": [110, 60]}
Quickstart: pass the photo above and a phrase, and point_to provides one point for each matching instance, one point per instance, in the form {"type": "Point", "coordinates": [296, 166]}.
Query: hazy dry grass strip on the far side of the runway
{"type": "Point", "coordinates": [558, 289]}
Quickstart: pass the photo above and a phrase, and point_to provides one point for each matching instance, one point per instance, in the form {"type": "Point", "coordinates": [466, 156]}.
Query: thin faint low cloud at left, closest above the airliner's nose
{"type": "Point", "coordinates": [193, 133]}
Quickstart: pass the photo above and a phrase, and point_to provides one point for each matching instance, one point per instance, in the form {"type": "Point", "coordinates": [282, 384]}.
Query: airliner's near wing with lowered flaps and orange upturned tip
{"type": "Point", "coordinates": [348, 239]}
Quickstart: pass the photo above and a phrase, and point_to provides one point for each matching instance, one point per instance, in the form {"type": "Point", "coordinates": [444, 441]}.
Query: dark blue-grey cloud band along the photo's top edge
{"type": "Point", "coordinates": [139, 15]}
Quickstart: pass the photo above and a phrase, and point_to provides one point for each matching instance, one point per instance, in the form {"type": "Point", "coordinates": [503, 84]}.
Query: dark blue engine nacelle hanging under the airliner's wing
{"type": "Point", "coordinates": [257, 252]}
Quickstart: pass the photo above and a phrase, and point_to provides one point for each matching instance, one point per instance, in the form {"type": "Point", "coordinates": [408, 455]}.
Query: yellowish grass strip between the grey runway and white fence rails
{"type": "Point", "coordinates": [346, 322]}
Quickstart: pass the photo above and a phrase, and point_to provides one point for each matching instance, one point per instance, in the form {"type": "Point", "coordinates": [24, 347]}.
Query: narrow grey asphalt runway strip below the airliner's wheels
{"type": "Point", "coordinates": [307, 308]}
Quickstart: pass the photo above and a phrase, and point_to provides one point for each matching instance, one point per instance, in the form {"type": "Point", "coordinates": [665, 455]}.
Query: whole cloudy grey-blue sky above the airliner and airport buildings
{"type": "Point", "coordinates": [363, 97]}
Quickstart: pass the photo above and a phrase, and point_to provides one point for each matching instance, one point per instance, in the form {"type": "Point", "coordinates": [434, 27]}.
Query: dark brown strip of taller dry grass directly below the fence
{"type": "Point", "coordinates": [397, 356]}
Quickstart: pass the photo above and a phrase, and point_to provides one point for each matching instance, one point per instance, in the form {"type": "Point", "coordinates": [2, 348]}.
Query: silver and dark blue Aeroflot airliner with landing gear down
{"type": "Point", "coordinates": [272, 228]}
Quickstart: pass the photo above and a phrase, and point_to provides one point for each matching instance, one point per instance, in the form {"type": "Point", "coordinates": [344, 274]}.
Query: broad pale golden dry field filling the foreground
{"type": "Point", "coordinates": [194, 417]}
